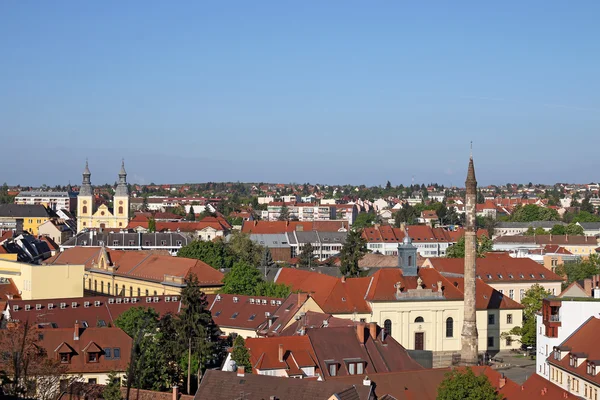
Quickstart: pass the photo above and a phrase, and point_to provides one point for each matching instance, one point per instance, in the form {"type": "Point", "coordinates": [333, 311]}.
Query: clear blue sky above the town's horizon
{"type": "Point", "coordinates": [305, 91]}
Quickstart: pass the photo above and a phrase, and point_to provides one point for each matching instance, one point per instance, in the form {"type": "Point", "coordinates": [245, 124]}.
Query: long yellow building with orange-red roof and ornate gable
{"type": "Point", "coordinates": [136, 273]}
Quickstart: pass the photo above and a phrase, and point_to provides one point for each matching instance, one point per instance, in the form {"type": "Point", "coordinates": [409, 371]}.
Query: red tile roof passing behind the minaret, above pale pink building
{"type": "Point", "coordinates": [498, 267]}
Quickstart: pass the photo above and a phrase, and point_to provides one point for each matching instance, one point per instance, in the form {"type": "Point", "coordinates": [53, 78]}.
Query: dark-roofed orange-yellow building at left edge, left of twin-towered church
{"type": "Point", "coordinates": [26, 218]}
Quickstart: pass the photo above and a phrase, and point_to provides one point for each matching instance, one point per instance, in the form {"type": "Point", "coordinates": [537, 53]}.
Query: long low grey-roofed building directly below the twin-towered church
{"type": "Point", "coordinates": [128, 240]}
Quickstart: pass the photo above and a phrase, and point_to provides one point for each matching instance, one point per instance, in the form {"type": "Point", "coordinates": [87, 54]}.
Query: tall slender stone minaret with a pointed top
{"type": "Point", "coordinates": [469, 336]}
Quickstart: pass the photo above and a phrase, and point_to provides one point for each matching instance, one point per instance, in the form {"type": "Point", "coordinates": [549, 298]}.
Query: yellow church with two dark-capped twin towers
{"type": "Point", "coordinates": [102, 217]}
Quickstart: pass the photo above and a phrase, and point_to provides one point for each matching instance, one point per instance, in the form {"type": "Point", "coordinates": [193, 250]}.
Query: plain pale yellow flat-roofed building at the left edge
{"type": "Point", "coordinates": [44, 281]}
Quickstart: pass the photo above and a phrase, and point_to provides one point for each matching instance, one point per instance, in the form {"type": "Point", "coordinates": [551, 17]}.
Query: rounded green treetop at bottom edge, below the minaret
{"type": "Point", "coordinates": [465, 385]}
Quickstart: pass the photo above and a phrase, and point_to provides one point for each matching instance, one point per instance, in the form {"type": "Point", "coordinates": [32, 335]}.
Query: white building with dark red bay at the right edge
{"type": "Point", "coordinates": [558, 319]}
